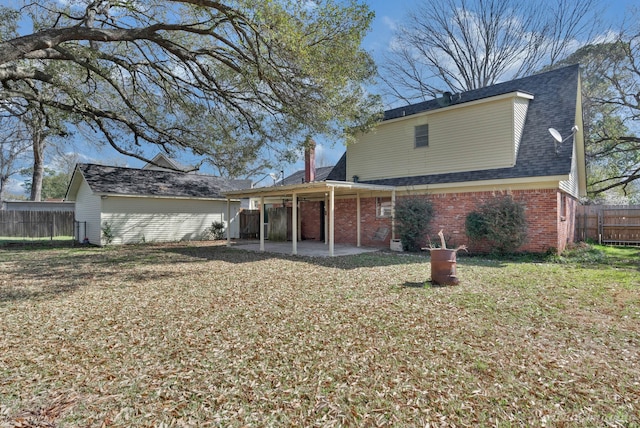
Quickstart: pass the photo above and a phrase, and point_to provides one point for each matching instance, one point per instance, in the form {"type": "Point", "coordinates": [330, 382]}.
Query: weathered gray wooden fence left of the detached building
{"type": "Point", "coordinates": [36, 224]}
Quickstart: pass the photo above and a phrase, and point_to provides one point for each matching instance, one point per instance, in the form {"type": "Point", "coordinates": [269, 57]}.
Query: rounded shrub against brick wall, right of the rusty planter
{"type": "Point", "coordinates": [501, 221]}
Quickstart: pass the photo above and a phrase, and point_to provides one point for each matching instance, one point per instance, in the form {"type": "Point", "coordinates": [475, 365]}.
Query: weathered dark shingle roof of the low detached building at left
{"type": "Point", "coordinates": [147, 182]}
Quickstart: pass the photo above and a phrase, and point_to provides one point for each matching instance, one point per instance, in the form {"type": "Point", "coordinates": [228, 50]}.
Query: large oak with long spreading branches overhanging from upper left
{"type": "Point", "coordinates": [197, 75]}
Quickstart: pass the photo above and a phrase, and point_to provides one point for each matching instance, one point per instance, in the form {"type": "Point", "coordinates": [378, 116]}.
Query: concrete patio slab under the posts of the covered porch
{"type": "Point", "coordinates": [304, 248]}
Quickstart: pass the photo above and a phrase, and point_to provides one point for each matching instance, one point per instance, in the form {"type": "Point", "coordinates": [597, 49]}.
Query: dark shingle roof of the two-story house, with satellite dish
{"type": "Point", "coordinates": [554, 105]}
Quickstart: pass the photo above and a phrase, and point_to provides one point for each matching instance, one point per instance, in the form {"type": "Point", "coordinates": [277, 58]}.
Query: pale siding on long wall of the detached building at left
{"type": "Point", "coordinates": [136, 220]}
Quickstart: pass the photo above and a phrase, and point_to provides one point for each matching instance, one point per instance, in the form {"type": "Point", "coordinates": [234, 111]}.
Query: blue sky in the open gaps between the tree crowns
{"type": "Point", "coordinates": [388, 15]}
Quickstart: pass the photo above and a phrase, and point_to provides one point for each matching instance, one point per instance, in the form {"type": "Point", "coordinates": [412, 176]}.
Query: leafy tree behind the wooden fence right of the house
{"type": "Point", "coordinates": [611, 109]}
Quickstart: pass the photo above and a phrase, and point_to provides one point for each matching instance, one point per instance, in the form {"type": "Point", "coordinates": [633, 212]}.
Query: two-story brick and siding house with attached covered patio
{"type": "Point", "coordinates": [458, 150]}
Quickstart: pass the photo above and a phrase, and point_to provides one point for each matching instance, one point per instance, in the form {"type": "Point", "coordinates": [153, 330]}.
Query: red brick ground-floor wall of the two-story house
{"type": "Point", "coordinates": [547, 228]}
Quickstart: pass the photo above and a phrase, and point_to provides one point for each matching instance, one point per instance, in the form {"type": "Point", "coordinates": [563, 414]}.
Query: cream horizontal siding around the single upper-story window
{"type": "Point", "coordinates": [470, 137]}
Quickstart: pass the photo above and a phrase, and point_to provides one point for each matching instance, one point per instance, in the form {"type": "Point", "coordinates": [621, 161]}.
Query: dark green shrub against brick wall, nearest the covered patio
{"type": "Point", "coordinates": [413, 216]}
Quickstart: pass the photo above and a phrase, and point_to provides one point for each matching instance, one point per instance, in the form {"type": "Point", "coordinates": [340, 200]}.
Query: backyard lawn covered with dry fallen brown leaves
{"type": "Point", "coordinates": [203, 335]}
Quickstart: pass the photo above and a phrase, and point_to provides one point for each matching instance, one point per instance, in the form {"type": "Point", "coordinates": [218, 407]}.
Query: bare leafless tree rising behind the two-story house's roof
{"type": "Point", "coordinates": [459, 45]}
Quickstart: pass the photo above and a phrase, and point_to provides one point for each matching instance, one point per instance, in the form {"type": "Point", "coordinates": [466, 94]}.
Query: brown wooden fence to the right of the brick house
{"type": "Point", "coordinates": [609, 224]}
